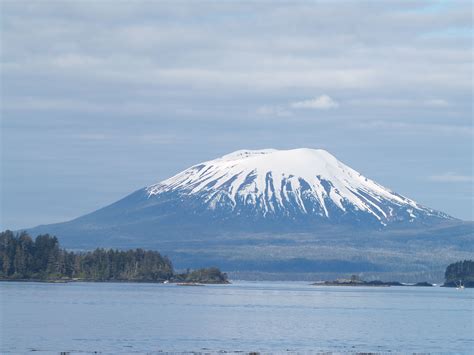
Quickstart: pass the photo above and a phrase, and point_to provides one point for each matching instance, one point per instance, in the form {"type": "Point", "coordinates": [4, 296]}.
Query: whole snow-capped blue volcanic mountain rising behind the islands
{"type": "Point", "coordinates": [239, 208]}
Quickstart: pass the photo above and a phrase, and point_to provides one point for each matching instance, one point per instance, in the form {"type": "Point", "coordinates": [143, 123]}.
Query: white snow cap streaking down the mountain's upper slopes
{"type": "Point", "coordinates": [294, 183]}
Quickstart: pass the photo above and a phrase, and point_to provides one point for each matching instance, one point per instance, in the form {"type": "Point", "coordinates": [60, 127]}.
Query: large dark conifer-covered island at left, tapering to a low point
{"type": "Point", "coordinates": [42, 259]}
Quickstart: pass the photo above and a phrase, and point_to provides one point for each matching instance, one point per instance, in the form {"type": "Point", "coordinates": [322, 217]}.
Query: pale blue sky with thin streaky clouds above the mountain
{"type": "Point", "coordinates": [101, 98]}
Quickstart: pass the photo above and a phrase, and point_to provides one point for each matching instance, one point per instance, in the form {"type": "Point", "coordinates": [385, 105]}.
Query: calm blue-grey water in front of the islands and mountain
{"type": "Point", "coordinates": [267, 317]}
